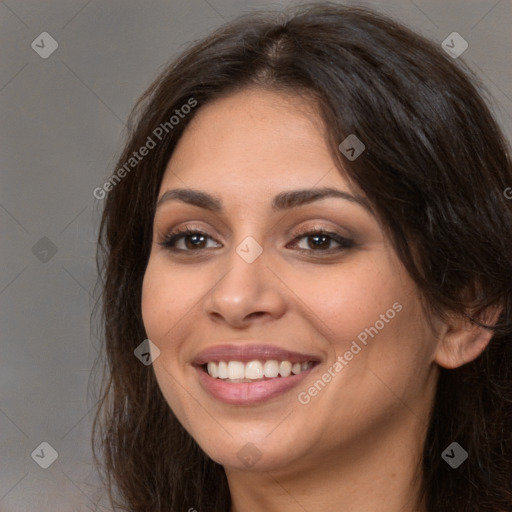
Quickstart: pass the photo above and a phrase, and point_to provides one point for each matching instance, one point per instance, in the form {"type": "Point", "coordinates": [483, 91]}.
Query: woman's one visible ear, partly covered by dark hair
{"type": "Point", "coordinates": [462, 341]}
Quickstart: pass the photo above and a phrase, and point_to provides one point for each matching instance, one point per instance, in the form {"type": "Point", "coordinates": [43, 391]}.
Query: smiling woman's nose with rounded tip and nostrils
{"type": "Point", "coordinates": [246, 293]}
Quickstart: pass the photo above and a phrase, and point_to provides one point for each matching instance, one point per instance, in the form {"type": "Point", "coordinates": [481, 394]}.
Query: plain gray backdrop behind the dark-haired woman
{"type": "Point", "coordinates": [62, 128]}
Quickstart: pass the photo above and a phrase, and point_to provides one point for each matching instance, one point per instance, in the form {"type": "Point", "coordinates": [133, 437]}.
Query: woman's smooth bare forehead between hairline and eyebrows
{"type": "Point", "coordinates": [254, 141]}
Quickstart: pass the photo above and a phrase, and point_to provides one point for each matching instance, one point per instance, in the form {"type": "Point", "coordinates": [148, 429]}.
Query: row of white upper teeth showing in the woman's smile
{"type": "Point", "coordinates": [237, 371]}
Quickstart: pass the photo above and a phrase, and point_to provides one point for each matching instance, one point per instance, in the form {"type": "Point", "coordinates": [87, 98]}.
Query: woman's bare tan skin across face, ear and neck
{"type": "Point", "coordinates": [357, 444]}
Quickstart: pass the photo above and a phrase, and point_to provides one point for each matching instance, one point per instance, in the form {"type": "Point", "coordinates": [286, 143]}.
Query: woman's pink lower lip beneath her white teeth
{"type": "Point", "coordinates": [248, 393]}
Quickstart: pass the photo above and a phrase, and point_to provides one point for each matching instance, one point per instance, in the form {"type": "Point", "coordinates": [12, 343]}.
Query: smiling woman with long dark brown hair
{"type": "Point", "coordinates": [308, 221]}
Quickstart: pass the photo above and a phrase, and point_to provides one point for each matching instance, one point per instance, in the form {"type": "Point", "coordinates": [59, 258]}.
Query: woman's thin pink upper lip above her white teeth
{"type": "Point", "coordinates": [246, 353]}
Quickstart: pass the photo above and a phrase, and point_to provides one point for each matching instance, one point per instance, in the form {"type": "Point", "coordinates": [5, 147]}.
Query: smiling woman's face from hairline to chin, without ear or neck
{"type": "Point", "coordinates": [323, 335]}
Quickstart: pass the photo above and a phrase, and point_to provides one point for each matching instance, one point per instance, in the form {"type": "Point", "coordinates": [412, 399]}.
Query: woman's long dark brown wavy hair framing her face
{"type": "Point", "coordinates": [435, 170]}
